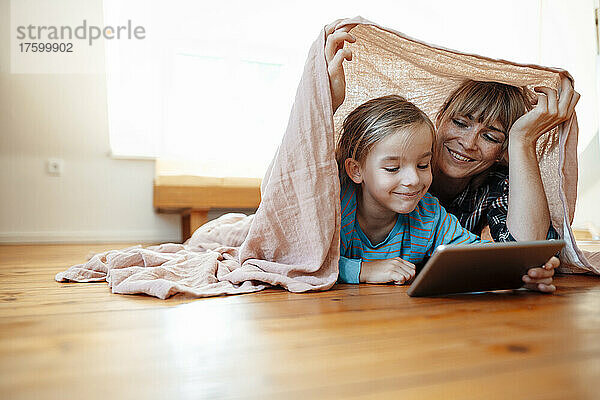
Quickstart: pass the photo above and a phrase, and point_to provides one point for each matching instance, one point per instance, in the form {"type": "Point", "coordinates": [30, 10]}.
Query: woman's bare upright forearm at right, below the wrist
{"type": "Point", "coordinates": [528, 216]}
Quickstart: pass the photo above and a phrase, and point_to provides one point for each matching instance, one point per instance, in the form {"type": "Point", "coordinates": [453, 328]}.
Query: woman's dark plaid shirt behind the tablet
{"type": "Point", "coordinates": [487, 204]}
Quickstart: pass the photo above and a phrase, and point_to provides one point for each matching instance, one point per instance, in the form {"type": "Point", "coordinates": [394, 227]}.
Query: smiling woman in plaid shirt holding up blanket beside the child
{"type": "Point", "coordinates": [473, 127]}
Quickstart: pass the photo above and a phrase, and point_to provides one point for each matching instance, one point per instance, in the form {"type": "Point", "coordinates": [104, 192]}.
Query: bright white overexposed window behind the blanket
{"type": "Point", "coordinates": [209, 91]}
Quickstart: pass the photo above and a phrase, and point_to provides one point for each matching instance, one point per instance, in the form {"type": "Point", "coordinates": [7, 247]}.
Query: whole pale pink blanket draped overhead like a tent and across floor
{"type": "Point", "coordinates": [293, 239]}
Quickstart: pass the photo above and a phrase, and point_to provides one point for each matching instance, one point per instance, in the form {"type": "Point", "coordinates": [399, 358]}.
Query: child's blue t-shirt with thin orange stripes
{"type": "Point", "coordinates": [414, 237]}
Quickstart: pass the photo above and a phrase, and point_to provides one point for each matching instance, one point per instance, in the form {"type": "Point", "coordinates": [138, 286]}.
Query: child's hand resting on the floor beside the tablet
{"type": "Point", "coordinates": [395, 270]}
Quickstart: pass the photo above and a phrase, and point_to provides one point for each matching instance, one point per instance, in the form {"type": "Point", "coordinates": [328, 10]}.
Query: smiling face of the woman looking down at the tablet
{"type": "Point", "coordinates": [466, 147]}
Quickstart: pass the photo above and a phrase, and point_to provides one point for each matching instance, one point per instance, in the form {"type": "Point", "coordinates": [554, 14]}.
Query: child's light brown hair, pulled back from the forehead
{"type": "Point", "coordinates": [371, 122]}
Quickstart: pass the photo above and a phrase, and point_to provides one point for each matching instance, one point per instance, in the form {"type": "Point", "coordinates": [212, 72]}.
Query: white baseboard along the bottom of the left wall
{"type": "Point", "coordinates": [89, 237]}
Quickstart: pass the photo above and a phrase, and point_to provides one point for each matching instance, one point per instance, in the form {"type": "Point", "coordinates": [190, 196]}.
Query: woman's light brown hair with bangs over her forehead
{"type": "Point", "coordinates": [487, 102]}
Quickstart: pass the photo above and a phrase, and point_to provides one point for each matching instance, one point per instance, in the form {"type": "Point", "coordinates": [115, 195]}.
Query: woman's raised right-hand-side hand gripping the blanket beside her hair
{"type": "Point", "coordinates": [550, 110]}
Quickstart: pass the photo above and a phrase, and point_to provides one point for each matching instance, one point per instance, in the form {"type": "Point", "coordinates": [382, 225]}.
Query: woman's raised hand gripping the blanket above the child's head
{"type": "Point", "coordinates": [335, 54]}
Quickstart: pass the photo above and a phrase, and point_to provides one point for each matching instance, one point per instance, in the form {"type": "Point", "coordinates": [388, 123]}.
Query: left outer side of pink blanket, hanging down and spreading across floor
{"type": "Point", "coordinates": [292, 241]}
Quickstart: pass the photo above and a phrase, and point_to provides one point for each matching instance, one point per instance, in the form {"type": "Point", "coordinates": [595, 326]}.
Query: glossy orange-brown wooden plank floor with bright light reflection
{"type": "Point", "coordinates": [79, 341]}
